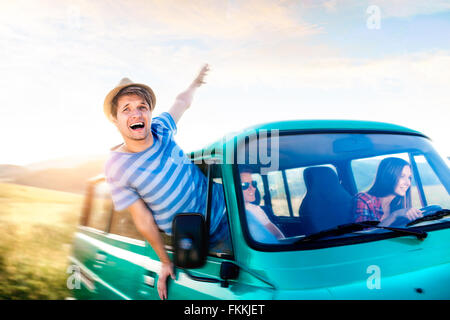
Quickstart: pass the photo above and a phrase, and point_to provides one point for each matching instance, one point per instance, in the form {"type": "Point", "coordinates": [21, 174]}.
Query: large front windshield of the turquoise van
{"type": "Point", "coordinates": [294, 185]}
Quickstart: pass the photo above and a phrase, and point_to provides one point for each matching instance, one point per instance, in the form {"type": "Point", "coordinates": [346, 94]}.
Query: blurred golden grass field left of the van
{"type": "Point", "coordinates": [36, 231]}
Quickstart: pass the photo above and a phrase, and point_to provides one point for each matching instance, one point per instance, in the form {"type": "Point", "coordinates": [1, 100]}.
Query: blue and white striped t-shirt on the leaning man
{"type": "Point", "coordinates": [164, 178]}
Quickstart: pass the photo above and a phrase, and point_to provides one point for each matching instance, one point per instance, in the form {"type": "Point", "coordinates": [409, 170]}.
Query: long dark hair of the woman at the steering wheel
{"type": "Point", "coordinates": [388, 174]}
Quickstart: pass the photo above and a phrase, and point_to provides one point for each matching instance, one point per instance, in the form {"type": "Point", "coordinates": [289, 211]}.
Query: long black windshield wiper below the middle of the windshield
{"type": "Point", "coordinates": [359, 226]}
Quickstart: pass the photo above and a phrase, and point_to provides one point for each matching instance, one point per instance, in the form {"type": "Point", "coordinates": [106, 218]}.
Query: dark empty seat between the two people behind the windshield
{"type": "Point", "coordinates": [326, 204]}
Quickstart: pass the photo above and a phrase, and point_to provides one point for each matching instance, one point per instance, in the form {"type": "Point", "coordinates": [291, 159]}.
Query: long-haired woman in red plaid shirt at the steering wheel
{"type": "Point", "coordinates": [390, 196]}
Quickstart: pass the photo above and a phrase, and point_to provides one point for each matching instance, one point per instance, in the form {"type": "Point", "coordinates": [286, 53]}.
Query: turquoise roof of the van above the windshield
{"type": "Point", "coordinates": [306, 126]}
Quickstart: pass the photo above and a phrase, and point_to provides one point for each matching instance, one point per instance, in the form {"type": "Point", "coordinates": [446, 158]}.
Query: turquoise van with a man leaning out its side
{"type": "Point", "coordinates": [305, 178]}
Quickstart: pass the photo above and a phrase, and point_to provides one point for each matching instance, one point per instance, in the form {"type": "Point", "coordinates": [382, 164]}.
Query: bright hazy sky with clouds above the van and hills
{"type": "Point", "coordinates": [374, 60]}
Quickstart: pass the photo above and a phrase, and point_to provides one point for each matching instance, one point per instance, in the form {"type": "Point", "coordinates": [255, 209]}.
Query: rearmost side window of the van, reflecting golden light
{"type": "Point", "coordinates": [101, 207]}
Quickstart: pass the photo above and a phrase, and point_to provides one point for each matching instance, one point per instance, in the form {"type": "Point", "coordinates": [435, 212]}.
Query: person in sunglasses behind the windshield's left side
{"type": "Point", "coordinates": [261, 228]}
